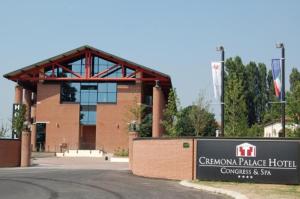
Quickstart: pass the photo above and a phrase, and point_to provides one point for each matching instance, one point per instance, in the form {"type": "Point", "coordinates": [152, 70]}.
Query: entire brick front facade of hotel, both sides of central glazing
{"type": "Point", "coordinates": [63, 123]}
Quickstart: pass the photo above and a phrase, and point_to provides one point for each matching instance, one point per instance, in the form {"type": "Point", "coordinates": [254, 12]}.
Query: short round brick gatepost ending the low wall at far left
{"type": "Point", "coordinates": [25, 149]}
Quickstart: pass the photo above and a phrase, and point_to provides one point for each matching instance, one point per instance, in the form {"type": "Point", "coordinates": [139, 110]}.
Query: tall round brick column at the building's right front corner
{"type": "Point", "coordinates": [157, 111]}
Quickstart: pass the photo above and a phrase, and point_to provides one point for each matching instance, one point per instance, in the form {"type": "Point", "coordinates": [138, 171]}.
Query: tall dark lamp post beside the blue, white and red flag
{"type": "Point", "coordinates": [282, 97]}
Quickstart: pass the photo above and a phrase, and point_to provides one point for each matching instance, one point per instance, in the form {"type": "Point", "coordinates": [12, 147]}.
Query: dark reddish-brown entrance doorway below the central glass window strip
{"type": "Point", "coordinates": [88, 137]}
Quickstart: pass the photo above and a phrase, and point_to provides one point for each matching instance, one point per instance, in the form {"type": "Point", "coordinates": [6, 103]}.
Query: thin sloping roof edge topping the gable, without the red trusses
{"type": "Point", "coordinates": [77, 50]}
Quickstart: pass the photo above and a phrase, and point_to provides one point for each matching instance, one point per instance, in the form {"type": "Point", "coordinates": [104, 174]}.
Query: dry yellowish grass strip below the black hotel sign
{"type": "Point", "coordinates": [258, 191]}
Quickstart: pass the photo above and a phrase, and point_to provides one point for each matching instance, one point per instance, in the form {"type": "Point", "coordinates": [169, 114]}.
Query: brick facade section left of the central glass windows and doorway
{"type": "Point", "coordinates": [63, 126]}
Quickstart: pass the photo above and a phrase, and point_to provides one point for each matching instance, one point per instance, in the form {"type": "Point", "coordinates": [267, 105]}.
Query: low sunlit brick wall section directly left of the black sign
{"type": "Point", "coordinates": [163, 158]}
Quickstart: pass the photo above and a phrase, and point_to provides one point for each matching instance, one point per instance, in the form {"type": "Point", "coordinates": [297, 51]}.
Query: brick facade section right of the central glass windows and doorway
{"type": "Point", "coordinates": [112, 119]}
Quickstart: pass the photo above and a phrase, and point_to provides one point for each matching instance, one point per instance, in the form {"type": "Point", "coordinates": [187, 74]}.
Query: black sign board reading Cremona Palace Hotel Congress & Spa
{"type": "Point", "coordinates": [242, 160]}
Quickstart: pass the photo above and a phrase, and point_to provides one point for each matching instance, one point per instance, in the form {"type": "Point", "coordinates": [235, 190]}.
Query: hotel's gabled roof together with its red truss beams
{"type": "Point", "coordinates": [30, 75]}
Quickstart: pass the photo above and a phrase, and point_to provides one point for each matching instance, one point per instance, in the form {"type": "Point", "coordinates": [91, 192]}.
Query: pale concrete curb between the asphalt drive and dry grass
{"type": "Point", "coordinates": [232, 194]}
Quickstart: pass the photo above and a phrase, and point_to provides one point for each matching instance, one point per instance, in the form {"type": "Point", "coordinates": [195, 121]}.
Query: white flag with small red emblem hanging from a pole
{"type": "Point", "coordinates": [216, 73]}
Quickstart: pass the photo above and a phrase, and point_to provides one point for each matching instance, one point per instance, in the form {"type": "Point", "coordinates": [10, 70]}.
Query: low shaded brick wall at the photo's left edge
{"type": "Point", "coordinates": [10, 153]}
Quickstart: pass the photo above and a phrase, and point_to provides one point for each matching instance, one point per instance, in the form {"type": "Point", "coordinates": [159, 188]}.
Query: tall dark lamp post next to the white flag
{"type": "Point", "coordinates": [221, 49]}
